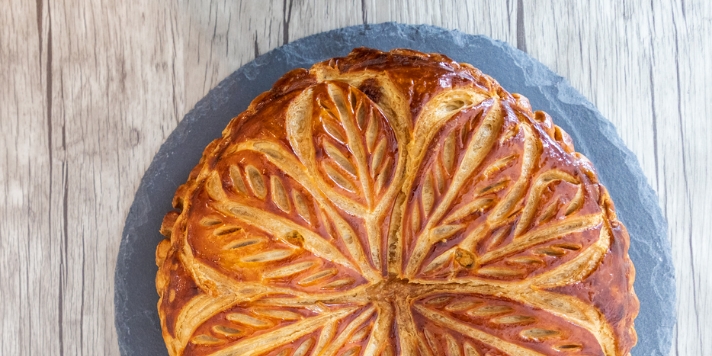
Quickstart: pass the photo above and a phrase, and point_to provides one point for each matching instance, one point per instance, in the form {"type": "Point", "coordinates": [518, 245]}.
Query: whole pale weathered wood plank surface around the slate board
{"type": "Point", "coordinates": [90, 89]}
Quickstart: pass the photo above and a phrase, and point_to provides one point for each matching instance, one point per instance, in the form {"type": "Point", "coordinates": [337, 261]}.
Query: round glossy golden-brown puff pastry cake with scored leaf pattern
{"type": "Point", "coordinates": [394, 203]}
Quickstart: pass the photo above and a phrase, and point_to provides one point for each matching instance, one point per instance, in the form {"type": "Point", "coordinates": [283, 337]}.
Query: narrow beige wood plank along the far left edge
{"type": "Point", "coordinates": [29, 251]}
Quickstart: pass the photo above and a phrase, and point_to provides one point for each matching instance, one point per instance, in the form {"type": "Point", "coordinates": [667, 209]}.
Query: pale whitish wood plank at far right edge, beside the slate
{"type": "Point", "coordinates": [681, 76]}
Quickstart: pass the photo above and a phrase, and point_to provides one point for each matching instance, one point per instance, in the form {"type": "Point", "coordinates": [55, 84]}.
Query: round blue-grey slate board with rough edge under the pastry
{"type": "Point", "coordinates": [135, 298]}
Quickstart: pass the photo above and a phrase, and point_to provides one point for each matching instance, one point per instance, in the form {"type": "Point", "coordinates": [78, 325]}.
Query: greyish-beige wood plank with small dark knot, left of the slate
{"type": "Point", "coordinates": [111, 92]}
